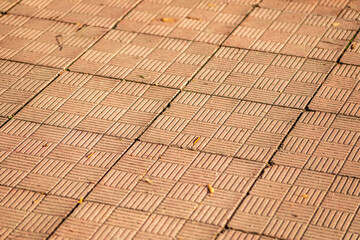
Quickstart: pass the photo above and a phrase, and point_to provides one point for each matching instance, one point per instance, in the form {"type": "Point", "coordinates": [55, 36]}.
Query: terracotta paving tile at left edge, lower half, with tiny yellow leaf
{"type": "Point", "coordinates": [55, 160]}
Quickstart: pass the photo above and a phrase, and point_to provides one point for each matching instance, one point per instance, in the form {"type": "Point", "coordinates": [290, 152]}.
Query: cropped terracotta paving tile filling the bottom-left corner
{"type": "Point", "coordinates": [32, 214]}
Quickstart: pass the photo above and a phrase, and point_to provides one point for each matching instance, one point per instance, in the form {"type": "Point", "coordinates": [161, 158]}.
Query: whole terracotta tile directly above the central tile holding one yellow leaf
{"type": "Point", "coordinates": [262, 77]}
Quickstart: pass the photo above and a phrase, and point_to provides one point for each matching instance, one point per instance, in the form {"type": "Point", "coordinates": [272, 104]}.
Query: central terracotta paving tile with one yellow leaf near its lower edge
{"type": "Point", "coordinates": [238, 125]}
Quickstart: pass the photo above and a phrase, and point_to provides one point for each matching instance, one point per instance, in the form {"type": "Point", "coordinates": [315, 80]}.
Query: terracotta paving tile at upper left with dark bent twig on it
{"type": "Point", "coordinates": [44, 42]}
